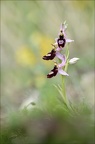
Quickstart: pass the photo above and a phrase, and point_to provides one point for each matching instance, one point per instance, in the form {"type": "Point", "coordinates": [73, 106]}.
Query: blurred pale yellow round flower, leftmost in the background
{"type": "Point", "coordinates": [25, 56]}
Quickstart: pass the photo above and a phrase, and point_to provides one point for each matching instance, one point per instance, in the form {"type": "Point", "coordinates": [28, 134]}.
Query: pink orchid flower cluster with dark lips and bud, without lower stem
{"type": "Point", "coordinates": [55, 52]}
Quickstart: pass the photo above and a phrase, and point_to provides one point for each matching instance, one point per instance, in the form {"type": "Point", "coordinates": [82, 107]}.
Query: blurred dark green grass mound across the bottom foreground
{"type": "Point", "coordinates": [42, 127]}
